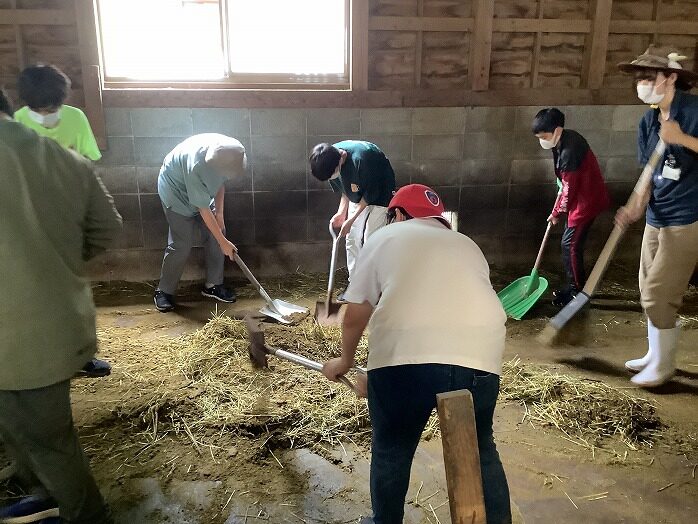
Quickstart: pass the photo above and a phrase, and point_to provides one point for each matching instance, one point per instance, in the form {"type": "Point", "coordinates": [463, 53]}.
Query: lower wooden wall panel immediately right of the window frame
{"type": "Point", "coordinates": [391, 59]}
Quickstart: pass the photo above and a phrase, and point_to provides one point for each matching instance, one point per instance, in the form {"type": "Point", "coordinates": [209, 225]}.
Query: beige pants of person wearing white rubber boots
{"type": "Point", "coordinates": [668, 258]}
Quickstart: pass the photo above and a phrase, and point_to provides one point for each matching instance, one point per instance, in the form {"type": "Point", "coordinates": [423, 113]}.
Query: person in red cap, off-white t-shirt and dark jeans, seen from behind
{"type": "Point", "coordinates": [435, 325]}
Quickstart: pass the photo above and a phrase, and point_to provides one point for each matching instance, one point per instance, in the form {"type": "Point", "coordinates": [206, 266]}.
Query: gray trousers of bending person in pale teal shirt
{"type": "Point", "coordinates": [179, 244]}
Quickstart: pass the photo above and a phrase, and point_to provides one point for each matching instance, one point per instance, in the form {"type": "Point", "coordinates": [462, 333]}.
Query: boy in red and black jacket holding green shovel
{"type": "Point", "coordinates": [583, 194]}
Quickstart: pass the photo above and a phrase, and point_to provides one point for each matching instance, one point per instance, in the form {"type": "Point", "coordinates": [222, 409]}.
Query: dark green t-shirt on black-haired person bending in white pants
{"type": "Point", "coordinates": [366, 173]}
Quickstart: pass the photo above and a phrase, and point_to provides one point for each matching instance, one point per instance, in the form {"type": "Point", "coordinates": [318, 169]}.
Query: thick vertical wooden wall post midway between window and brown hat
{"type": "Point", "coordinates": [481, 44]}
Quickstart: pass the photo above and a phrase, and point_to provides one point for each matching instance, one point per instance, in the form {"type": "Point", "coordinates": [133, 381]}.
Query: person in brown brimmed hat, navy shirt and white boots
{"type": "Point", "coordinates": [670, 243]}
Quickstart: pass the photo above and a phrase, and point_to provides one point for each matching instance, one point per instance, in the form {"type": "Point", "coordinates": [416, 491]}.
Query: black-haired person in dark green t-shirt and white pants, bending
{"type": "Point", "coordinates": [361, 173]}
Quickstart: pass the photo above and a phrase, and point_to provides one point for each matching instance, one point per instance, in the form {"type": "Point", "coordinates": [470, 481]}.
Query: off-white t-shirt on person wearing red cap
{"type": "Point", "coordinates": [433, 299]}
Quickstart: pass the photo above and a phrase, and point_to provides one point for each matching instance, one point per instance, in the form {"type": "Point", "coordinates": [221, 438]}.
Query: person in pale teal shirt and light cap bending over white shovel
{"type": "Point", "coordinates": [191, 185]}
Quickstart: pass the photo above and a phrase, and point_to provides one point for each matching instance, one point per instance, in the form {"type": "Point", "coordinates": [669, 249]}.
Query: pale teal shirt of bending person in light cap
{"type": "Point", "coordinates": [186, 184]}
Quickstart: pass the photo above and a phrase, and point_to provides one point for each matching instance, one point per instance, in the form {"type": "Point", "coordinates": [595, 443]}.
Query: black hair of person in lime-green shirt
{"type": "Point", "coordinates": [43, 86]}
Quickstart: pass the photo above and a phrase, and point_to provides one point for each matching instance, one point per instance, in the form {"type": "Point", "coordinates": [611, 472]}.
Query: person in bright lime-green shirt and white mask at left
{"type": "Point", "coordinates": [45, 88]}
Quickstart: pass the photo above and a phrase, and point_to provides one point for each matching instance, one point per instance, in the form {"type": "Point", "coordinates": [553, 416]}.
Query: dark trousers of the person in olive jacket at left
{"type": "Point", "coordinates": [36, 427]}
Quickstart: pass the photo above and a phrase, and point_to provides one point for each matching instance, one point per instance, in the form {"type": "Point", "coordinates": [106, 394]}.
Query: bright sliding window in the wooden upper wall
{"type": "Point", "coordinates": [235, 42]}
